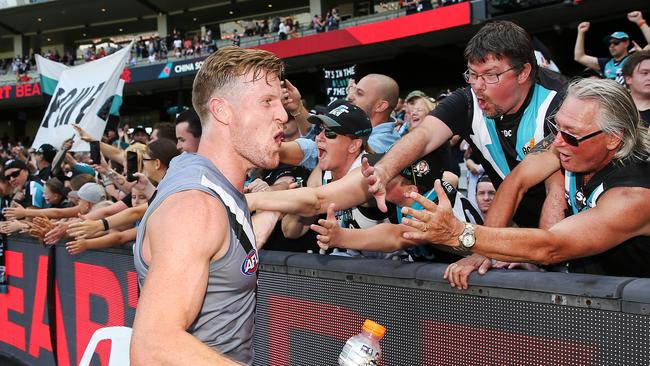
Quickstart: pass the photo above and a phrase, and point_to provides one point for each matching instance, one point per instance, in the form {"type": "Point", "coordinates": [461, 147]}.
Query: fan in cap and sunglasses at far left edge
{"type": "Point", "coordinates": [29, 191]}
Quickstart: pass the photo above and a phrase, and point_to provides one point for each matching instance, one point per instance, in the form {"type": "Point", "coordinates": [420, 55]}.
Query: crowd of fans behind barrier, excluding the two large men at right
{"type": "Point", "coordinates": [54, 194]}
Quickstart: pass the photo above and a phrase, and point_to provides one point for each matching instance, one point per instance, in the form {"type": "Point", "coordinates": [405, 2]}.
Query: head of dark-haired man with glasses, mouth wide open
{"type": "Point", "coordinates": [501, 67]}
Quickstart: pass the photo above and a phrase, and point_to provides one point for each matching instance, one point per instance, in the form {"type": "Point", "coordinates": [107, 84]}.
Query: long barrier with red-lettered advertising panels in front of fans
{"type": "Point", "coordinates": [308, 305]}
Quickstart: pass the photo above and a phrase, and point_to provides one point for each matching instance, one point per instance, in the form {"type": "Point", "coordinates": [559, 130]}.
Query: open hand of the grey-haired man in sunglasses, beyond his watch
{"type": "Point", "coordinates": [435, 223]}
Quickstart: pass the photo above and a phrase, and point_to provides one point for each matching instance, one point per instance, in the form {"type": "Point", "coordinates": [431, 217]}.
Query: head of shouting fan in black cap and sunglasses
{"type": "Point", "coordinates": [342, 133]}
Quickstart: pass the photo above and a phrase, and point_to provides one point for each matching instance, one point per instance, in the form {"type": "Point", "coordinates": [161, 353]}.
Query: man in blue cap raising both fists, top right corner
{"type": "Point", "coordinates": [619, 45]}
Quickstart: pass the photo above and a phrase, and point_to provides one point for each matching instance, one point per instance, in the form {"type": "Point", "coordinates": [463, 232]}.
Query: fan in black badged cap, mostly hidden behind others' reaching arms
{"type": "Point", "coordinates": [387, 237]}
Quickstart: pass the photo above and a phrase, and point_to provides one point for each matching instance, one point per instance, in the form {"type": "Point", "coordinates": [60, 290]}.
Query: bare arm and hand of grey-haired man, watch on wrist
{"type": "Point", "coordinates": [621, 213]}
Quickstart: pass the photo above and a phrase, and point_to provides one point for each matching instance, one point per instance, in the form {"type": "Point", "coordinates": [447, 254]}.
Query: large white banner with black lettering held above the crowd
{"type": "Point", "coordinates": [79, 95]}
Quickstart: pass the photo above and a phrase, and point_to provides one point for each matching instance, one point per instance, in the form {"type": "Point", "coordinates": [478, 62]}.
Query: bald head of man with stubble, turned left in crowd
{"type": "Point", "coordinates": [377, 95]}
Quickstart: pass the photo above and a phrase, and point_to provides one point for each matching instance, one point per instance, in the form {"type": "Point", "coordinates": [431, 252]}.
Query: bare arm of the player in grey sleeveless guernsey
{"type": "Point", "coordinates": [175, 286]}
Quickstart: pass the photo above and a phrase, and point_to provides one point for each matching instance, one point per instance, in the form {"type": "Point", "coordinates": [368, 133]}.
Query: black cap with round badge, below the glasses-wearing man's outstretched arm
{"type": "Point", "coordinates": [423, 172]}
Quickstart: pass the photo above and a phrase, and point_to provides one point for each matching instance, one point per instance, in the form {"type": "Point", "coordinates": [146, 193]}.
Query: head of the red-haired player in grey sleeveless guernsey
{"type": "Point", "coordinates": [237, 96]}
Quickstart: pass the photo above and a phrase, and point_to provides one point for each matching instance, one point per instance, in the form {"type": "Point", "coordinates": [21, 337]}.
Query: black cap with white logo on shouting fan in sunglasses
{"type": "Point", "coordinates": [345, 119]}
